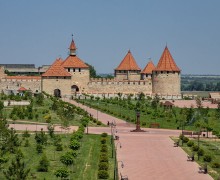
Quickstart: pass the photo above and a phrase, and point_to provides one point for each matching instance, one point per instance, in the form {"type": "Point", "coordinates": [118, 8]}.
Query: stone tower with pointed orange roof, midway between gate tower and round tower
{"type": "Point", "coordinates": [128, 69]}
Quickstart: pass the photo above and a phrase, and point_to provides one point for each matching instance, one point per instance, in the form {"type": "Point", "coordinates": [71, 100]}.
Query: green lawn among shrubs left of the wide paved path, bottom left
{"type": "Point", "coordinates": [85, 165]}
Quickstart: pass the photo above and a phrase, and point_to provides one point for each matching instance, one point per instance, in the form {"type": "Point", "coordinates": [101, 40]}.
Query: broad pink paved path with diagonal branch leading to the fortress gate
{"type": "Point", "coordinates": [149, 155]}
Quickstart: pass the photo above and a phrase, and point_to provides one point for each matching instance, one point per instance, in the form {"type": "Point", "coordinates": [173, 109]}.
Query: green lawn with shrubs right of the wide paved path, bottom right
{"type": "Point", "coordinates": [210, 147]}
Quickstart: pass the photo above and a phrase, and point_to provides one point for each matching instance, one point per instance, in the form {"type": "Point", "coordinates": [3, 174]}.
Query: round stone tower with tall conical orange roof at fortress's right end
{"type": "Point", "coordinates": [166, 76]}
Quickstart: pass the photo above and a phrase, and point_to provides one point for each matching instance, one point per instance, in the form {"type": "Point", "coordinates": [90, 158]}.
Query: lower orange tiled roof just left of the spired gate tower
{"type": "Point", "coordinates": [56, 69]}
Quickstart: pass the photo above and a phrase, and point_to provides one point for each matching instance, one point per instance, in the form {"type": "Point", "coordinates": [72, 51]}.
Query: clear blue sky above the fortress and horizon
{"type": "Point", "coordinates": [40, 31]}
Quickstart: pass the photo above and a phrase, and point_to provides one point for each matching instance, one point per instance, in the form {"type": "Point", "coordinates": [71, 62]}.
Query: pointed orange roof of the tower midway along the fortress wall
{"type": "Point", "coordinates": [128, 63]}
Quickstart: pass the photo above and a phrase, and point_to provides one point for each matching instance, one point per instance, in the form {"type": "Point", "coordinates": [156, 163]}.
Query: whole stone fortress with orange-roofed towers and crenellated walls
{"type": "Point", "coordinates": [70, 77]}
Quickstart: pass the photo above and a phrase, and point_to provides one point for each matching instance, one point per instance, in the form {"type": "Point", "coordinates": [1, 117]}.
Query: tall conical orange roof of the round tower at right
{"type": "Point", "coordinates": [166, 62]}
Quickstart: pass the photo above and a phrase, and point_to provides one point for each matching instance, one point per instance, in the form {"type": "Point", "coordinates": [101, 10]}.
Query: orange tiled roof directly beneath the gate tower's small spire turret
{"type": "Point", "coordinates": [74, 62]}
